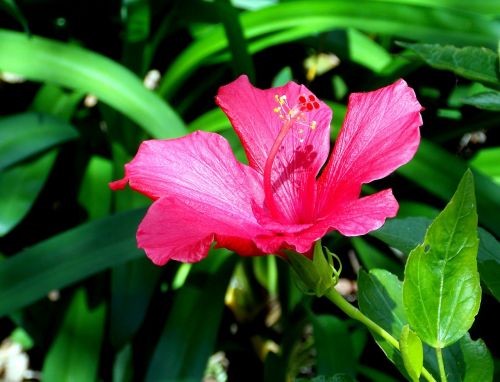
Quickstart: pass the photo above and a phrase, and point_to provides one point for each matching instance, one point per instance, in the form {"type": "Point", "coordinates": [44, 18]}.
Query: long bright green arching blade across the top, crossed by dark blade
{"type": "Point", "coordinates": [290, 21]}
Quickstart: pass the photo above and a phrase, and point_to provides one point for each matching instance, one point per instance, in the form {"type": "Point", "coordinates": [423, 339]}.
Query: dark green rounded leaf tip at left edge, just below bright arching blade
{"type": "Point", "coordinates": [24, 135]}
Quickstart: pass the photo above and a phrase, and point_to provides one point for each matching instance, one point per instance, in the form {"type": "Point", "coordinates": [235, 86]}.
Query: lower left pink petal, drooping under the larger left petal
{"type": "Point", "coordinates": [175, 230]}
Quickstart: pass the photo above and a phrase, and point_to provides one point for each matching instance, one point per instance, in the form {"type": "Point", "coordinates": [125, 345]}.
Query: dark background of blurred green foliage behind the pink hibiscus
{"type": "Point", "coordinates": [83, 82]}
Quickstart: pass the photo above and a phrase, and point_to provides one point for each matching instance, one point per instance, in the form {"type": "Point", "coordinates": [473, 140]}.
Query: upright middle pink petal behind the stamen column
{"type": "Point", "coordinates": [303, 151]}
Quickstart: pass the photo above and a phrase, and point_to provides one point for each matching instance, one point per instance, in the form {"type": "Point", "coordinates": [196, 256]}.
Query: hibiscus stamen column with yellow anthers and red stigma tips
{"type": "Point", "coordinates": [290, 116]}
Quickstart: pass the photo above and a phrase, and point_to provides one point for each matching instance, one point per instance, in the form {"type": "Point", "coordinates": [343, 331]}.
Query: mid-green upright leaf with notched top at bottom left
{"type": "Point", "coordinates": [75, 352]}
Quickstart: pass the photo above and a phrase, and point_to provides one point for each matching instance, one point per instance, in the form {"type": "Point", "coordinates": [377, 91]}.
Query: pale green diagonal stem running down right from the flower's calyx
{"type": "Point", "coordinates": [356, 314]}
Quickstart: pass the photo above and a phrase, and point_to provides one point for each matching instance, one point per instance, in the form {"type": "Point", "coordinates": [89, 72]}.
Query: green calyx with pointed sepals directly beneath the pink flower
{"type": "Point", "coordinates": [318, 275]}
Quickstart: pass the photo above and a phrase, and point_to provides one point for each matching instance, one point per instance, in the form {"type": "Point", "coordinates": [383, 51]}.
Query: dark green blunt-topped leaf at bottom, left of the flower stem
{"type": "Point", "coordinates": [333, 345]}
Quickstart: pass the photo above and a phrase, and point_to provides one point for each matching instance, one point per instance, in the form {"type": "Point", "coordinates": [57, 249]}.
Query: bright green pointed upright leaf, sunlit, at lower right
{"type": "Point", "coordinates": [441, 290]}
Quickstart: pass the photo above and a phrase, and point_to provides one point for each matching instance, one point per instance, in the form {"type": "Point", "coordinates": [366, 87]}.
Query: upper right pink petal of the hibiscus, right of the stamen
{"type": "Point", "coordinates": [380, 134]}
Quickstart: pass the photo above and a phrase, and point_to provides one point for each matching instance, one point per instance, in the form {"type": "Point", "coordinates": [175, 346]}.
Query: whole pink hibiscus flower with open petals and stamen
{"type": "Point", "coordinates": [280, 200]}
